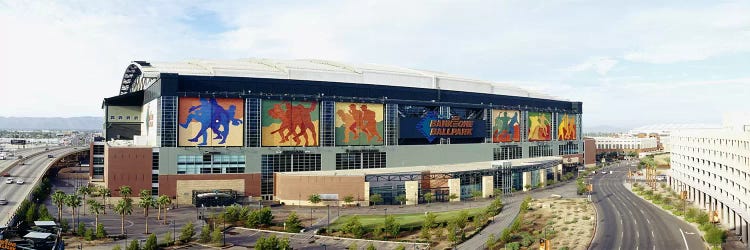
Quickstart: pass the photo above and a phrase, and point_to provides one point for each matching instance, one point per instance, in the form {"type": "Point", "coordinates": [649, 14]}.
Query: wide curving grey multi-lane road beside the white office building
{"type": "Point", "coordinates": [625, 221]}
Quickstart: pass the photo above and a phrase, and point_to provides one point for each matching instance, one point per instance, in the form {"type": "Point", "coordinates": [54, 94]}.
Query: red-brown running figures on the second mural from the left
{"type": "Point", "coordinates": [296, 121]}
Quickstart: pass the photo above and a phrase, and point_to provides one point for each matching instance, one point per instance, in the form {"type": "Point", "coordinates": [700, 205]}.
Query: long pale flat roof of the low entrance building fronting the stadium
{"type": "Point", "coordinates": [446, 168]}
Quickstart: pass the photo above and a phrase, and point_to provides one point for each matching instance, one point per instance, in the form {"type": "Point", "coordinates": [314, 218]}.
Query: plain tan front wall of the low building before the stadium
{"type": "Point", "coordinates": [295, 189]}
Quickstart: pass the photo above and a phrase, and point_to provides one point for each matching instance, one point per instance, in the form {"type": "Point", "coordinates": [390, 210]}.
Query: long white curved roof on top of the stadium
{"type": "Point", "coordinates": [140, 74]}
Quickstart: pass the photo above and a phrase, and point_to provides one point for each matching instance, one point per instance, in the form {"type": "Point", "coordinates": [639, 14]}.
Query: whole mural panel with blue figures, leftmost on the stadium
{"type": "Point", "coordinates": [210, 121]}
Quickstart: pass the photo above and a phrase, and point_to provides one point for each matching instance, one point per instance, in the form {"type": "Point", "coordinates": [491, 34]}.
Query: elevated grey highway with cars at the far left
{"type": "Point", "coordinates": [30, 173]}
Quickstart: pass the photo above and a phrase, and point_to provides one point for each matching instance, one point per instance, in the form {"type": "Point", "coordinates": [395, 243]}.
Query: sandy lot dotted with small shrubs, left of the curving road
{"type": "Point", "coordinates": [569, 222]}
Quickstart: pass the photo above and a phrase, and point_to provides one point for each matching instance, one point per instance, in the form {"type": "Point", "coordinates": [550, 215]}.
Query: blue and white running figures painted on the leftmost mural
{"type": "Point", "coordinates": [211, 115]}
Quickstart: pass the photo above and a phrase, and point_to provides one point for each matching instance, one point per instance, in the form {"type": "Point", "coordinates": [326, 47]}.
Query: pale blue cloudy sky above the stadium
{"type": "Point", "coordinates": [631, 63]}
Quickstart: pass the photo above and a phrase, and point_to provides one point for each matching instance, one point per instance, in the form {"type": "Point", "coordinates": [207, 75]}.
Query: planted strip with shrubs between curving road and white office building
{"type": "Point", "coordinates": [670, 201]}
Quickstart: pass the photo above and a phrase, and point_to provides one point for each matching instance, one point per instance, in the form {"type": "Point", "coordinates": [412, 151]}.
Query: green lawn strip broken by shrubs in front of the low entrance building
{"type": "Point", "coordinates": [406, 220]}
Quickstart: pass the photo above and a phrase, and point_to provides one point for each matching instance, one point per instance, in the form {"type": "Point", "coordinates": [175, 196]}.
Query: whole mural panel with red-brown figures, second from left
{"type": "Point", "coordinates": [290, 123]}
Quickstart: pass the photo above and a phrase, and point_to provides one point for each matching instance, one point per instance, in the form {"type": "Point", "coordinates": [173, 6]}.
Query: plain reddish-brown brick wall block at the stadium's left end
{"type": "Point", "coordinates": [129, 166]}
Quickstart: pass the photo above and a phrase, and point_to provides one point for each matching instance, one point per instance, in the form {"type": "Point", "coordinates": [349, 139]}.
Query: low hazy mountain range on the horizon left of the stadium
{"type": "Point", "coordinates": [38, 123]}
